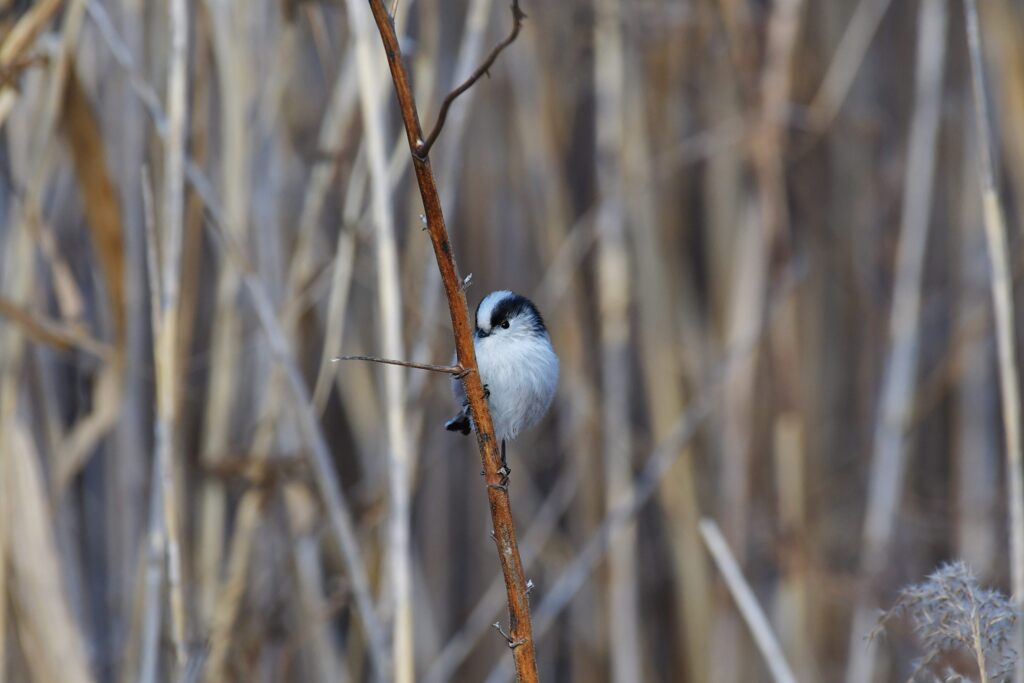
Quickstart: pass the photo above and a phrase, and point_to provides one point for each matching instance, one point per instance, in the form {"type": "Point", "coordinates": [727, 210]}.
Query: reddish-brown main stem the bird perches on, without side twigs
{"type": "Point", "coordinates": [521, 631]}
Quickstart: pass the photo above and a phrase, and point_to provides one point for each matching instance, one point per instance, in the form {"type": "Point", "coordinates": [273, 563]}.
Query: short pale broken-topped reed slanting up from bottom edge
{"type": "Point", "coordinates": [747, 603]}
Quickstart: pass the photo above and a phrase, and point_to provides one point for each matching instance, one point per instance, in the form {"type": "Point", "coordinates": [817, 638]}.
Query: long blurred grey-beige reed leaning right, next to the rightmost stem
{"type": "Point", "coordinates": [897, 402]}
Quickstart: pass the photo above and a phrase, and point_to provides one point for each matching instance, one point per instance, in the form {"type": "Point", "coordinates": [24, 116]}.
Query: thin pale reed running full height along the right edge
{"type": "Point", "coordinates": [996, 232]}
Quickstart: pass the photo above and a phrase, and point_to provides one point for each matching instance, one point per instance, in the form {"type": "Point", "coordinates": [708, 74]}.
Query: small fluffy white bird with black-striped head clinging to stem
{"type": "Point", "coordinates": [518, 365]}
